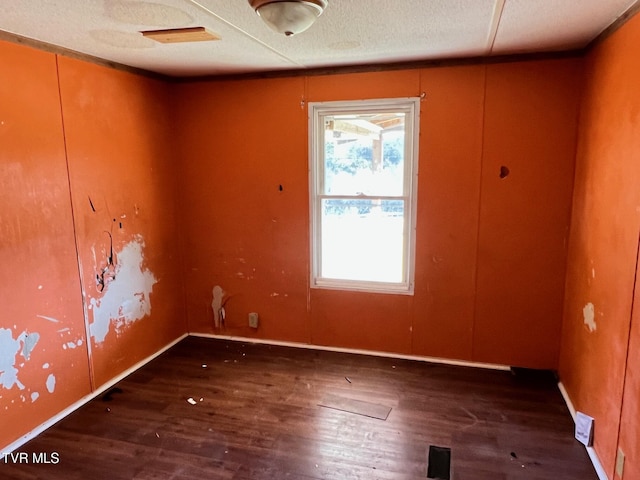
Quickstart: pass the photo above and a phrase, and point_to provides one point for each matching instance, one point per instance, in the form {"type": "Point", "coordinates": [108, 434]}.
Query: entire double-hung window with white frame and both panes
{"type": "Point", "coordinates": [363, 180]}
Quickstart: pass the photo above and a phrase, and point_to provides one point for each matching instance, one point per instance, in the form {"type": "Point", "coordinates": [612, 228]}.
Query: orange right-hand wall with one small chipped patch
{"type": "Point", "coordinates": [603, 250]}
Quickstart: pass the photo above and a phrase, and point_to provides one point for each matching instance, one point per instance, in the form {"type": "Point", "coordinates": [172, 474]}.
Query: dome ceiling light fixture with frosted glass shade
{"type": "Point", "coordinates": [289, 16]}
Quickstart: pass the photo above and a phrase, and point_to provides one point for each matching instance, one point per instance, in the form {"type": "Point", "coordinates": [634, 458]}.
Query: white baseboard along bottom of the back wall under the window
{"type": "Point", "coordinates": [375, 353]}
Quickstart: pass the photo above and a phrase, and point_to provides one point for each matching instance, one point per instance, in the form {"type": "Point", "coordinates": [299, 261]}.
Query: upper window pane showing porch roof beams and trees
{"type": "Point", "coordinates": [364, 154]}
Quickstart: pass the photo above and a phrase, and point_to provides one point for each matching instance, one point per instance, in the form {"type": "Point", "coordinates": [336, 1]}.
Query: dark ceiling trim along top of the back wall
{"type": "Point", "coordinates": [383, 67]}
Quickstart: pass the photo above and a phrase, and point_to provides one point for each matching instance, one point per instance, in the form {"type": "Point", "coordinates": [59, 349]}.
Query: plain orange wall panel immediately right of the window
{"type": "Point", "coordinates": [449, 192]}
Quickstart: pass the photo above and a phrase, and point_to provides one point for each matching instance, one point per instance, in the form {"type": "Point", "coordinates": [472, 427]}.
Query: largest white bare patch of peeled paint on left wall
{"type": "Point", "coordinates": [127, 298]}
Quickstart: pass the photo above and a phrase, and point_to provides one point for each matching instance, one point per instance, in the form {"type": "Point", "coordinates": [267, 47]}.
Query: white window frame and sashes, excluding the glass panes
{"type": "Point", "coordinates": [316, 113]}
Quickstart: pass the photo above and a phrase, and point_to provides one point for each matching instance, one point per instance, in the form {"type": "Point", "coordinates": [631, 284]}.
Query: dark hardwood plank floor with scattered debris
{"type": "Point", "coordinates": [256, 416]}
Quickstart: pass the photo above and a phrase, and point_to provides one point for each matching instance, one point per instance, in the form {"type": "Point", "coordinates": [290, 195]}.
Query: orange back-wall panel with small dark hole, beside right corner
{"type": "Point", "coordinates": [530, 127]}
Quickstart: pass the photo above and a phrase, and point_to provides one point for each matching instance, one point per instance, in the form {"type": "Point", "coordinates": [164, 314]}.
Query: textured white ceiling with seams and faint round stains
{"type": "Point", "coordinates": [350, 32]}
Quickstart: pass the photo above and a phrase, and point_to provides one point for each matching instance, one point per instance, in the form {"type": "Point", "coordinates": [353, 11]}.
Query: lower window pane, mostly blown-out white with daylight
{"type": "Point", "coordinates": [362, 239]}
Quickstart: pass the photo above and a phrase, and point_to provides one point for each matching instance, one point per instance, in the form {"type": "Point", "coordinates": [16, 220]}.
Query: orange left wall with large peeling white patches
{"type": "Point", "coordinates": [70, 131]}
